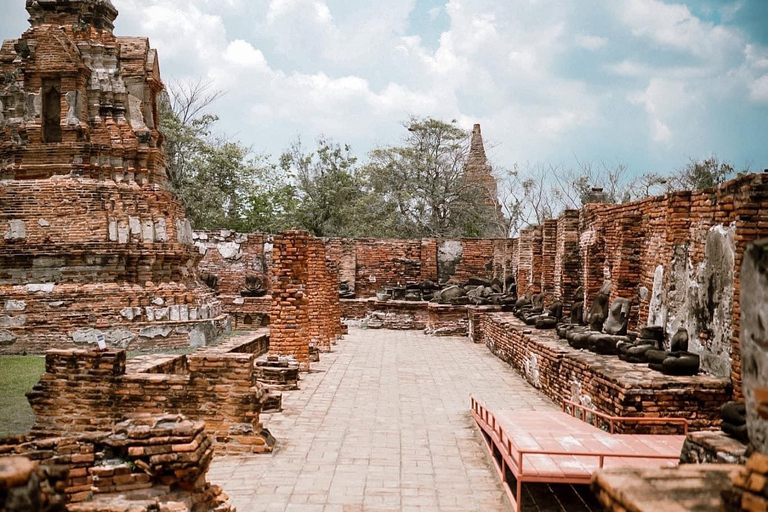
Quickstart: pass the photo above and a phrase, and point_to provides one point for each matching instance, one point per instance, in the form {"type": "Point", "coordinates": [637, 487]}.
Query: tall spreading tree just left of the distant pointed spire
{"type": "Point", "coordinates": [422, 182]}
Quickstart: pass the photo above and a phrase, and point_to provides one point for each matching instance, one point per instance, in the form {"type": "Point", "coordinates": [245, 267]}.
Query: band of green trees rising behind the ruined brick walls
{"type": "Point", "coordinates": [414, 189]}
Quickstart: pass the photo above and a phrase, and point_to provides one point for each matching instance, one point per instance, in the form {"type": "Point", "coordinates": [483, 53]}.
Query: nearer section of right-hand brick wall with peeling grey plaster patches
{"type": "Point", "coordinates": [677, 257]}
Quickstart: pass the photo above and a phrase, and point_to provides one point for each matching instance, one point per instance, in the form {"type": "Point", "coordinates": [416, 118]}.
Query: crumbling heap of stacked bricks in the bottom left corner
{"type": "Point", "coordinates": [146, 461]}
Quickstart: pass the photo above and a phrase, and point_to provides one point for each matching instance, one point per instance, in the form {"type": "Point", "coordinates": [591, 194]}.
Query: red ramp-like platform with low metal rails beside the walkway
{"type": "Point", "coordinates": [557, 447]}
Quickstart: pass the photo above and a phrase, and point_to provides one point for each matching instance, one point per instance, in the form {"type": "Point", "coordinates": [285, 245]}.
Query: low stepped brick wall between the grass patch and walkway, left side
{"type": "Point", "coordinates": [86, 391]}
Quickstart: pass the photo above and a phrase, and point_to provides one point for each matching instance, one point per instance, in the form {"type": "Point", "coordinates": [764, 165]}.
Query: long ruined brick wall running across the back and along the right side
{"type": "Point", "coordinates": [675, 257]}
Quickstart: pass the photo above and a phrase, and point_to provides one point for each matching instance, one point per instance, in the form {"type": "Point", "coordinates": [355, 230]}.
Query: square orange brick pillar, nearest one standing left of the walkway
{"type": "Point", "coordinates": [289, 321]}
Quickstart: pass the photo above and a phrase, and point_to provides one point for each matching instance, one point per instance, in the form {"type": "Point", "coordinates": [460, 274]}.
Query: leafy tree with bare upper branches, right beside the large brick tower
{"type": "Point", "coordinates": [221, 183]}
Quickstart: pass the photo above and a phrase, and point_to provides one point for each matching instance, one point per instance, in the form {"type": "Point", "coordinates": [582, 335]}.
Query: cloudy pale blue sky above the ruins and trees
{"type": "Point", "coordinates": [648, 83]}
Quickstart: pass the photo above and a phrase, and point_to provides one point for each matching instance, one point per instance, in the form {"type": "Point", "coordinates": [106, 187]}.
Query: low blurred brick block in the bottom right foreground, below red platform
{"type": "Point", "coordinates": [681, 489]}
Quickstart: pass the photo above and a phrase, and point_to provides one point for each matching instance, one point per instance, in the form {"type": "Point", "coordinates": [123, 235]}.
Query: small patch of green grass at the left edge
{"type": "Point", "coordinates": [17, 376]}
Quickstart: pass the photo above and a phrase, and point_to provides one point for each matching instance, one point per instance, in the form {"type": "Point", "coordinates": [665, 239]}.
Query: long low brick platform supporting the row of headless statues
{"type": "Point", "coordinates": [613, 386]}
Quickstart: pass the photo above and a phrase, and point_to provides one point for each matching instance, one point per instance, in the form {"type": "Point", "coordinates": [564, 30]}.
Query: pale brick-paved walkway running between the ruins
{"type": "Point", "coordinates": [383, 424]}
